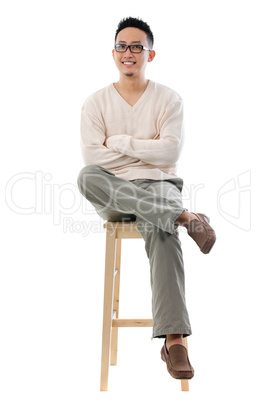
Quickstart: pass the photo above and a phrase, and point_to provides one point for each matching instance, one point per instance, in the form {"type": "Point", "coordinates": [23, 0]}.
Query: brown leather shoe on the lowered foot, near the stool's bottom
{"type": "Point", "coordinates": [177, 361]}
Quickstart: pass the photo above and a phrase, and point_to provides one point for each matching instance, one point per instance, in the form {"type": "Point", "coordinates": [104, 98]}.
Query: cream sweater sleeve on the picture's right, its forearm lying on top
{"type": "Point", "coordinates": [164, 151]}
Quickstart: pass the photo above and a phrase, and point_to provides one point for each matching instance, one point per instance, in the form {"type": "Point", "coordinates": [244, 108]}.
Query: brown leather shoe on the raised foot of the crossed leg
{"type": "Point", "coordinates": [202, 233]}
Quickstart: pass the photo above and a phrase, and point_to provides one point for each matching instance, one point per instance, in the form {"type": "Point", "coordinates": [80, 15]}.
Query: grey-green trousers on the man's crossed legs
{"type": "Point", "coordinates": [154, 205]}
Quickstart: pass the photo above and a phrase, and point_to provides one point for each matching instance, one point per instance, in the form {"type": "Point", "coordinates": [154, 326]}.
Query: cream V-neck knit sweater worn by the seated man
{"type": "Point", "coordinates": [132, 152]}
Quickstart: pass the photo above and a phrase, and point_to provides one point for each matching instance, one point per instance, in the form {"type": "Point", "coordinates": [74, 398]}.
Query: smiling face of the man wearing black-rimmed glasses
{"type": "Point", "coordinates": [128, 63]}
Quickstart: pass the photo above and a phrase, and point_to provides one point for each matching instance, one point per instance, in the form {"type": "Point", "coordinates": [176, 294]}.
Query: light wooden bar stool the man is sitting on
{"type": "Point", "coordinates": [116, 231]}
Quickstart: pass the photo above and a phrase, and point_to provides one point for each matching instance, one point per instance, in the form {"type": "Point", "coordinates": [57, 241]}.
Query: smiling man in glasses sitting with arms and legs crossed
{"type": "Point", "coordinates": [131, 138]}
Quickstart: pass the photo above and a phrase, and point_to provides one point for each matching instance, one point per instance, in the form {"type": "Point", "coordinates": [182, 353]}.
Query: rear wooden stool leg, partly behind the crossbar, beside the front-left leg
{"type": "Point", "coordinates": [114, 335]}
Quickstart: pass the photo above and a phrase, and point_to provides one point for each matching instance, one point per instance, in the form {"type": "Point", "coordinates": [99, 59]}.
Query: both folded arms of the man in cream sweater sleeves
{"type": "Point", "coordinates": [117, 150]}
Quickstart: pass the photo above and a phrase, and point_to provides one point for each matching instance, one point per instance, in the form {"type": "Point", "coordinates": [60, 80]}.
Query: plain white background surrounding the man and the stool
{"type": "Point", "coordinates": [52, 269]}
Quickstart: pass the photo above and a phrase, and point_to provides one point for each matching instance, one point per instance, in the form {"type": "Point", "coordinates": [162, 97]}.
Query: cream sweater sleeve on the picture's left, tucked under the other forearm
{"type": "Point", "coordinates": [92, 139]}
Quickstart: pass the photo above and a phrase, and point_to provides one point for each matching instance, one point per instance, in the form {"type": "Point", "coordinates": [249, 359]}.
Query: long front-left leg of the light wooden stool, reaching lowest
{"type": "Point", "coordinates": [108, 307]}
